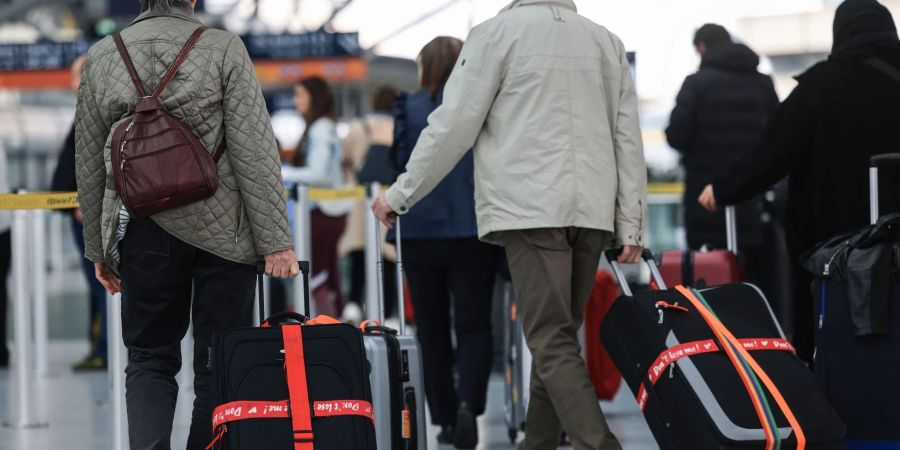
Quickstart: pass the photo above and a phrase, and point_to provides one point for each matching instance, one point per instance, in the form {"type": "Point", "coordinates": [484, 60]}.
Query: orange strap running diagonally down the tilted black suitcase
{"type": "Point", "coordinates": [729, 340]}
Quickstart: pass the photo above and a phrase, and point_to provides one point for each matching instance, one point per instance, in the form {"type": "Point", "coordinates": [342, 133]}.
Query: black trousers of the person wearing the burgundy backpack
{"type": "Point", "coordinates": [165, 284]}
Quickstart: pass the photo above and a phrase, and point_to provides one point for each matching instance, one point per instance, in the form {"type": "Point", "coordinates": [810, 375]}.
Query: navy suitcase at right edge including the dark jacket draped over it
{"type": "Point", "coordinates": [856, 361]}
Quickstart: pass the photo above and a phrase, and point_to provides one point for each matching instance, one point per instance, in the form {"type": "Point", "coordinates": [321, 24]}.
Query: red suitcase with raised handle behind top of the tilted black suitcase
{"type": "Point", "coordinates": [701, 269]}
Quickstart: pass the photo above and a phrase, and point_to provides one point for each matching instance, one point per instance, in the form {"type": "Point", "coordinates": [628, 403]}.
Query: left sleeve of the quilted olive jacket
{"type": "Point", "coordinates": [91, 131]}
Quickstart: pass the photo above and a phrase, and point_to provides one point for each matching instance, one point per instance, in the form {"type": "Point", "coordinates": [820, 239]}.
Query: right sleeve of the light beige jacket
{"type": "Point", "coordinates": [631, 168]}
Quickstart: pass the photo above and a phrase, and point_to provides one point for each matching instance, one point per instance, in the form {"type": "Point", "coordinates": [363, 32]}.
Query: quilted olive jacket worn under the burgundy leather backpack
{"type": "Point", "coordinates": [216, 93]}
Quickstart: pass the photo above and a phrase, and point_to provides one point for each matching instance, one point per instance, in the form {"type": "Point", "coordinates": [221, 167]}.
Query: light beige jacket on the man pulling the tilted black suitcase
{"type": "Point", "coordinates": [546, 98]}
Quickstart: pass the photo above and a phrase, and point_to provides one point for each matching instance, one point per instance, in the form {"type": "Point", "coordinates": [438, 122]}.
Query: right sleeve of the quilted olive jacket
{"type": "Point", "coordinates": [253, 152]}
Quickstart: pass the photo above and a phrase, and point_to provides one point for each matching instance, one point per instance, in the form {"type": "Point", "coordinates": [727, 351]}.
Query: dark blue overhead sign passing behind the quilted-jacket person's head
{"type": "Point", "coordinates": [266, 47]}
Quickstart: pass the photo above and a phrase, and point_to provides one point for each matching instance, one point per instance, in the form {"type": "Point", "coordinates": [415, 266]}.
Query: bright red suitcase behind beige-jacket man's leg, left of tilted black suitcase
{"type": "Point", "coordinates": [601, 368]}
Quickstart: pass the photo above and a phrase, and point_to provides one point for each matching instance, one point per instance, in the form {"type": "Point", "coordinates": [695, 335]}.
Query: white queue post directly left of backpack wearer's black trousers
{"type": "Point", "coordinates": [118, 357]}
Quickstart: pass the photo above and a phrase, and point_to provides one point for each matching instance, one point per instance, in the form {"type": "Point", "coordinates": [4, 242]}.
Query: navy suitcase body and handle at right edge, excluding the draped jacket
{"type": "Point", "coordinates": [859, 374]}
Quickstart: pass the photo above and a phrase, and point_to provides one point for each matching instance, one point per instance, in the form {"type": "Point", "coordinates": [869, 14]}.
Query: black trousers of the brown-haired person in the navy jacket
{"type": "Point", "coordinates": [464, 270]}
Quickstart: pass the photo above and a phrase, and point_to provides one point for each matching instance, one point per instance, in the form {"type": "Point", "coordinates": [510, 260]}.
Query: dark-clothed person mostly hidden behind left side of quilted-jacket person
{"type": "Point", "coordinates": [64, 181]}
